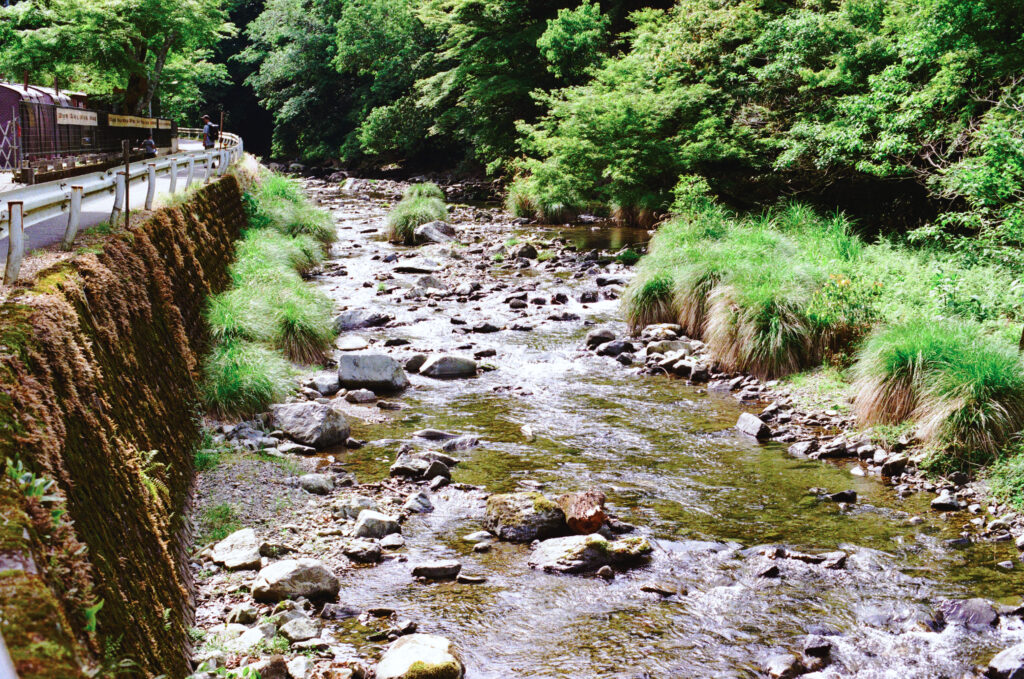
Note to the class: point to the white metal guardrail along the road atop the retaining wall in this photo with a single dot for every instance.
(24, 207)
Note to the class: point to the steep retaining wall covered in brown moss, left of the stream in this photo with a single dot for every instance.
(98, 367)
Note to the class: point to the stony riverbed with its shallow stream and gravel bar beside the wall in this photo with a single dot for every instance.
(736, 525)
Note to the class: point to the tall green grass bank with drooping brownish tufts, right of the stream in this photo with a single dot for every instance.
(926, 336)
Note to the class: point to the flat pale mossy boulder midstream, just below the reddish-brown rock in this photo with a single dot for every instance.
(588, 554)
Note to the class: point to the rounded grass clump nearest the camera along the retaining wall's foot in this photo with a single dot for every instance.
(243, 378)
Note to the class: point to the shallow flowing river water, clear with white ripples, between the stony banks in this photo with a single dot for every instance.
(672, 464)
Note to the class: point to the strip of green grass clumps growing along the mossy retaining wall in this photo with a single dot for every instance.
(270, 318)
